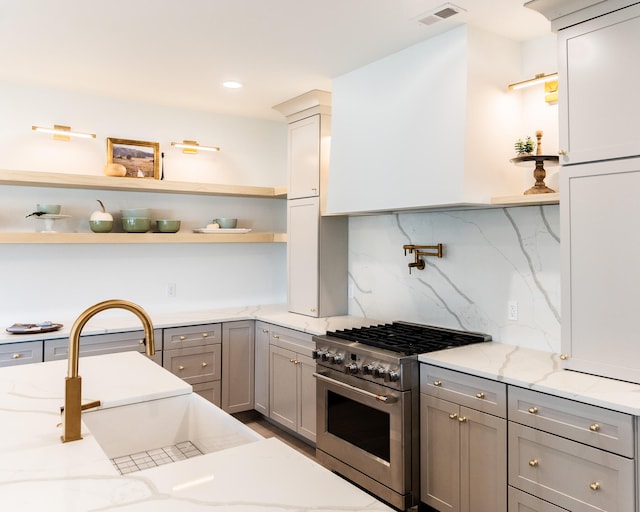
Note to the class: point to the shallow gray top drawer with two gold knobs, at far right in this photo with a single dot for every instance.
(601, 428)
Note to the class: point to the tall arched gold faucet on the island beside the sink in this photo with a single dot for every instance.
(73, 383)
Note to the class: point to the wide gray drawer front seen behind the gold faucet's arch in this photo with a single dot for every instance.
(99, 344)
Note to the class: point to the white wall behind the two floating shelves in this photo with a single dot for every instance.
(50, 282)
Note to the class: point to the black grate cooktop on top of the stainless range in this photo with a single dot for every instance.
(409, 339)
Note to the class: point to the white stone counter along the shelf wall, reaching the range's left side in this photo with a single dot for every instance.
(115, 320)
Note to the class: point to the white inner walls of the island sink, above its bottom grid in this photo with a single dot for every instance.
(146, 426)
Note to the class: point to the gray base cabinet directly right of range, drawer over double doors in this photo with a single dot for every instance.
(463, 451)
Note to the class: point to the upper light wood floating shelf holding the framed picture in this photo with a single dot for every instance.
(60, 180)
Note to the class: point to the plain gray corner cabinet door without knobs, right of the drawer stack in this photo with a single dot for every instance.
(238, 366)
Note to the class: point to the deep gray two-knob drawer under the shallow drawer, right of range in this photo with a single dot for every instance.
(563, 472)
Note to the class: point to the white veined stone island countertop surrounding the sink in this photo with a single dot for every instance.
(39, 472)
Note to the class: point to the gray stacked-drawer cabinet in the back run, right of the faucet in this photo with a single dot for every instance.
(194, 354)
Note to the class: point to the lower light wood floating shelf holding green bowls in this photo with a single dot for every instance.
(139, 238)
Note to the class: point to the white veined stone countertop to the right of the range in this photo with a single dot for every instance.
(539, 371)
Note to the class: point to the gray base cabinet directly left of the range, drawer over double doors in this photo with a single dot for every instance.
(292, 389)
